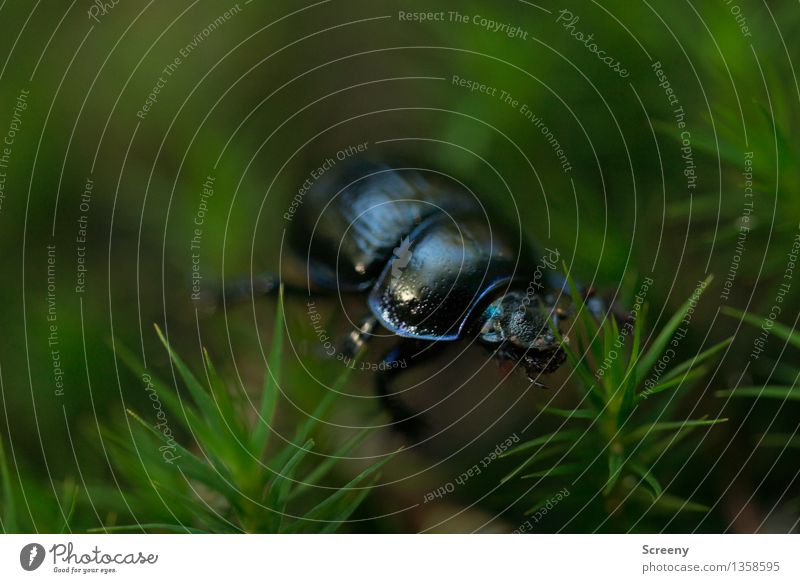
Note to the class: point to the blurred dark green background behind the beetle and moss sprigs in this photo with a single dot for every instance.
(258, 94)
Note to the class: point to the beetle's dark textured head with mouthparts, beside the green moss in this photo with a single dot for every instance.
(518, 328)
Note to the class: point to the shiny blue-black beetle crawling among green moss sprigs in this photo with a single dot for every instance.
(422, 248)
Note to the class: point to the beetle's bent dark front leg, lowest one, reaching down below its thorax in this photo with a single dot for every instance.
(406, 421)
